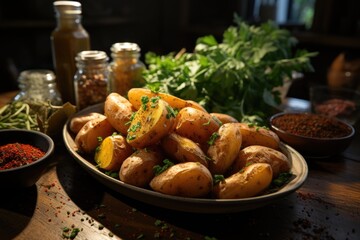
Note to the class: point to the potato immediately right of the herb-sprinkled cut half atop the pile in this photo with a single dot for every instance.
(195, 124)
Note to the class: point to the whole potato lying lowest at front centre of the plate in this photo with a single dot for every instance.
(189, 179)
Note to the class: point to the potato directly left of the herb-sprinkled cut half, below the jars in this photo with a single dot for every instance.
(118, 110)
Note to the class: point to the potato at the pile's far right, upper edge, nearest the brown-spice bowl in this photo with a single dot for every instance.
(253, 135)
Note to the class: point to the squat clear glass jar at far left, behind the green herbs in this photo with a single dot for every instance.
(38, 86)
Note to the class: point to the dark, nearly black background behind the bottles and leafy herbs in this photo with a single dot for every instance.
(164, 26)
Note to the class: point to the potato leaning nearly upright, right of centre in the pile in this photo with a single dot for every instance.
(224, 150)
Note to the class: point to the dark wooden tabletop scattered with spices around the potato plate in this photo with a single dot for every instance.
(327, 206)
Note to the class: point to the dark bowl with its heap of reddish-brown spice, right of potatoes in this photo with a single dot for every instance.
(313, 135)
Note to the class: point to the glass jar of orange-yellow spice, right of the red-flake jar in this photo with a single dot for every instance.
(125, 68)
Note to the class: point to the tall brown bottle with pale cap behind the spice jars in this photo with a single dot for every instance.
(67, 40)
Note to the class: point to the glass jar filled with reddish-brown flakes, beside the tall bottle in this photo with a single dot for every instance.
(91, 78)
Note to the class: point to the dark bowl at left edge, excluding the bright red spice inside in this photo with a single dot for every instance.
(26, 175)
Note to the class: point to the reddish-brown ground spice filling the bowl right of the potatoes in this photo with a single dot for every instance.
(311, 125)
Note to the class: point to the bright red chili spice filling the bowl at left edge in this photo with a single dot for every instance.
(18, 154)
